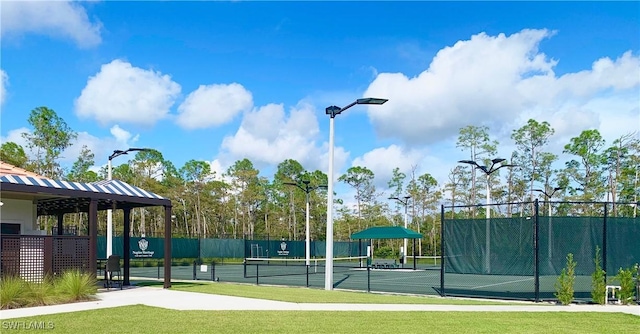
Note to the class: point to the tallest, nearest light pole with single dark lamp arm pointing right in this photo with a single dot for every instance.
(332, 111)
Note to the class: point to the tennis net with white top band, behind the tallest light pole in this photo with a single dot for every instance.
(267, 267)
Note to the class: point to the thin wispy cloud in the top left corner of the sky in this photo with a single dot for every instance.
(54, 18)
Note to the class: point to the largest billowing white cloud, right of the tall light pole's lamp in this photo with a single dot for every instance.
(492, 80)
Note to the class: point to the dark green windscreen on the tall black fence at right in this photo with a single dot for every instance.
(509, 248)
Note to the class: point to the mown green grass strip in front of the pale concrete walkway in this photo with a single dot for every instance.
(144, 319)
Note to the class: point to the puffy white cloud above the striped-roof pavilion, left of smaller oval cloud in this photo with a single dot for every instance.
(123, 93)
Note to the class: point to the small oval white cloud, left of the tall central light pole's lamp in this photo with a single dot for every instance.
(213, 105)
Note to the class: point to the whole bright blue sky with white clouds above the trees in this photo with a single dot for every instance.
(223, 81)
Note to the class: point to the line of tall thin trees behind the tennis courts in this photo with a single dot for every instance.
(242, 203)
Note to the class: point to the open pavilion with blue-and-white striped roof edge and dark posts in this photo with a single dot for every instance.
(57, 198)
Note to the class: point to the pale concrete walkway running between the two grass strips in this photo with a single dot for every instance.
(181, 300)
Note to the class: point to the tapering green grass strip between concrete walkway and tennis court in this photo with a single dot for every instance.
(306, 295)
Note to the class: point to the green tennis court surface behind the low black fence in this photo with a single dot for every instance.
(353, 277)
